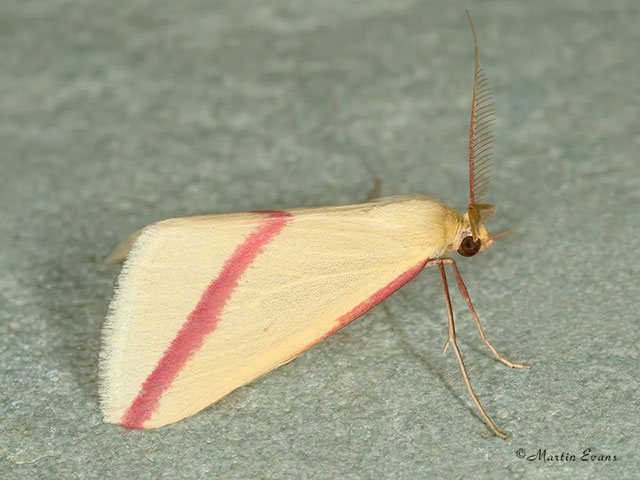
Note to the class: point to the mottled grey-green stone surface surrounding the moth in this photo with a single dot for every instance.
(116, 115)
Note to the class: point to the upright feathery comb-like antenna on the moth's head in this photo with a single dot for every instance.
(480, 132)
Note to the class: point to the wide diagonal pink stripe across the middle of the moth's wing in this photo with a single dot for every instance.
(203, 319)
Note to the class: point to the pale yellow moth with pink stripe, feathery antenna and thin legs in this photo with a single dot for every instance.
(206, 304)
